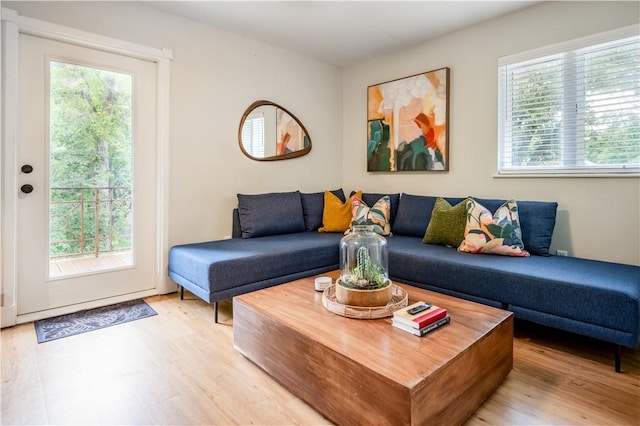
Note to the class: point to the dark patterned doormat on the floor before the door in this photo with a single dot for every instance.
(92, 319)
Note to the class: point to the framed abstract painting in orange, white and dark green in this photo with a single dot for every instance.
(408, 123)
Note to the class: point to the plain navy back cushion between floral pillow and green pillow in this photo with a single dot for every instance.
(413, 215)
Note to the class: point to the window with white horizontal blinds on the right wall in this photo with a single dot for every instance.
(572, 108)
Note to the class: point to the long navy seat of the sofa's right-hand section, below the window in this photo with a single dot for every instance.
(594, 292)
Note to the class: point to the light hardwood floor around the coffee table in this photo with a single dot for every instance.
(179, 367)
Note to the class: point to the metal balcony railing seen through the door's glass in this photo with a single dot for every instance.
(89, 221)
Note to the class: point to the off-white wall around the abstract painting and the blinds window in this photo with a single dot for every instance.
(598, 218)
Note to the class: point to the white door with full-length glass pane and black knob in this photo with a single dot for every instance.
(87, 173)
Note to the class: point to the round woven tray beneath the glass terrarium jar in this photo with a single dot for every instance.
(399, 299)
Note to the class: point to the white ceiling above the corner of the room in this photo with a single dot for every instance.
(341, 32)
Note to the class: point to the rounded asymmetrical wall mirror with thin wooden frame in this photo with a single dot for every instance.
(269, 132)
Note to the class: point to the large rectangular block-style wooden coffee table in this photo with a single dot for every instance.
(356, 371)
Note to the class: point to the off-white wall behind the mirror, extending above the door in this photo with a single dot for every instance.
(215, 76)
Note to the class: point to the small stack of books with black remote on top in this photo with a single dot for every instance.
(420, 318)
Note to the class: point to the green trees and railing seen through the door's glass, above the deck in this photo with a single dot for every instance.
(90, 159)
